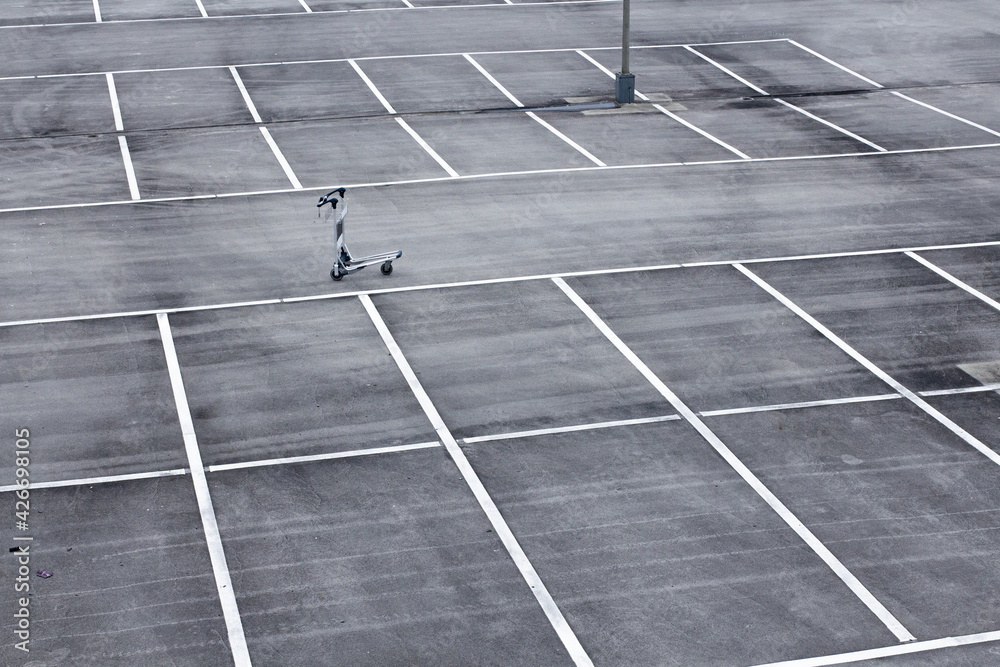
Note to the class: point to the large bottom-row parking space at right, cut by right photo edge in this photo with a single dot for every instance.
(906, 505)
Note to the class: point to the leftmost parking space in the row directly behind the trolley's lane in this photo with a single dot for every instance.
(36, 172)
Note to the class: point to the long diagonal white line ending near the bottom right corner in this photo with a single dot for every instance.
(806, 535)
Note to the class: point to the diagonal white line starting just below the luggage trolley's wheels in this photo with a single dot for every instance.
(500, 527)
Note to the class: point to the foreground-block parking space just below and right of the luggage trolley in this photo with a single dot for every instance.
(518, 357)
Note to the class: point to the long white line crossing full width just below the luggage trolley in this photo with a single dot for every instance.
(485, 281)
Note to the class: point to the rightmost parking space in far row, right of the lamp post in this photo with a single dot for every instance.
(781, 68)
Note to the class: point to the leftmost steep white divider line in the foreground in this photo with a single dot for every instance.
(223, 582)
